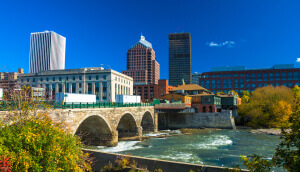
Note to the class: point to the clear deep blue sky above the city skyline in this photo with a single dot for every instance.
(253, 33)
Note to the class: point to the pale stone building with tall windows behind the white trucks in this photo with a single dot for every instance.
(105, 83)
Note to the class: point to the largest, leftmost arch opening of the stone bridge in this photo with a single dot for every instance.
(94, 130)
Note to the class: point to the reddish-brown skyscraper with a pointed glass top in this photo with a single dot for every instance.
(141, 63)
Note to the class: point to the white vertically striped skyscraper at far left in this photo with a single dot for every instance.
(47, 51)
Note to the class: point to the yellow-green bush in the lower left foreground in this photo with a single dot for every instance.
(35, 143)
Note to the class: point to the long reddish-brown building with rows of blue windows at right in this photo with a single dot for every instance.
(238, 78)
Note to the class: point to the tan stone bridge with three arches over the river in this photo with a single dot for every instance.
(104, 126)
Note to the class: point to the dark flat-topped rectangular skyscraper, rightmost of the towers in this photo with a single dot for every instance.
(180, 58)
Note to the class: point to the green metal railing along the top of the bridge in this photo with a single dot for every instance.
(56, 105)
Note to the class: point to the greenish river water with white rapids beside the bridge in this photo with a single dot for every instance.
(210, 147)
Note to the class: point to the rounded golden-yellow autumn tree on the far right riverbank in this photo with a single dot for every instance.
(268, 107)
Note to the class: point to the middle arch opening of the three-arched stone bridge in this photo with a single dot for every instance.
(127, 126)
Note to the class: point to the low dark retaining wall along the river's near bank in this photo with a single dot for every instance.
(102, 158)
